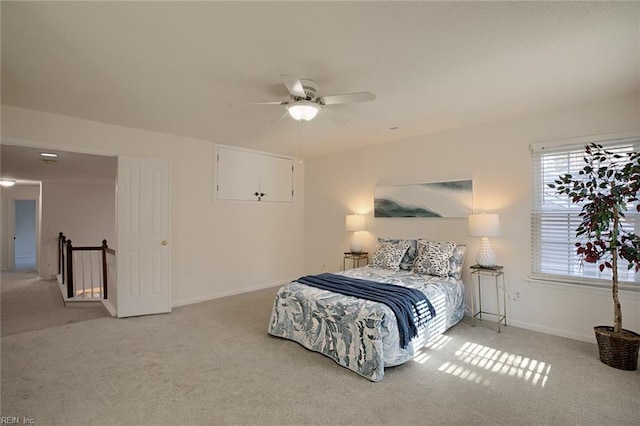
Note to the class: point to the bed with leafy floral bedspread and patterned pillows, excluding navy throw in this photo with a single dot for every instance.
(363, 335)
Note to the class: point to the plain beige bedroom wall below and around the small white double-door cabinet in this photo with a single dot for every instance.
(217, 248)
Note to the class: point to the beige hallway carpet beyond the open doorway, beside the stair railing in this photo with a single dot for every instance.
(30, 303)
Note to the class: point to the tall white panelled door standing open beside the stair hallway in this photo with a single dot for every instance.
(143, 251)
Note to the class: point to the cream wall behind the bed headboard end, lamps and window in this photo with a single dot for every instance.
(496, 156)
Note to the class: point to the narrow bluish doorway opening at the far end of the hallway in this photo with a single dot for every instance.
(24, 235)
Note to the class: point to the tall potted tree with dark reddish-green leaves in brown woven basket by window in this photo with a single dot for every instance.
(606, 185)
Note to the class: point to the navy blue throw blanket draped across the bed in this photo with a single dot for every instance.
(411, 306)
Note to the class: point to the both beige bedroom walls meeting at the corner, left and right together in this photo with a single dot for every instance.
(226, 248)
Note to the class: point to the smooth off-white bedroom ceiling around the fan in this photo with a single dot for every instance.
(175, 67)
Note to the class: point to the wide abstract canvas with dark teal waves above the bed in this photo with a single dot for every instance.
(431, 200)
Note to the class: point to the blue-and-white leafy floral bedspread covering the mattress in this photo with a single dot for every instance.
(359, 334)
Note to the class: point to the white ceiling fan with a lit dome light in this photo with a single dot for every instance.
(305, 103)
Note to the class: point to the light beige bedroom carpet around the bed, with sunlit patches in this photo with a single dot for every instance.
(214, 363)
